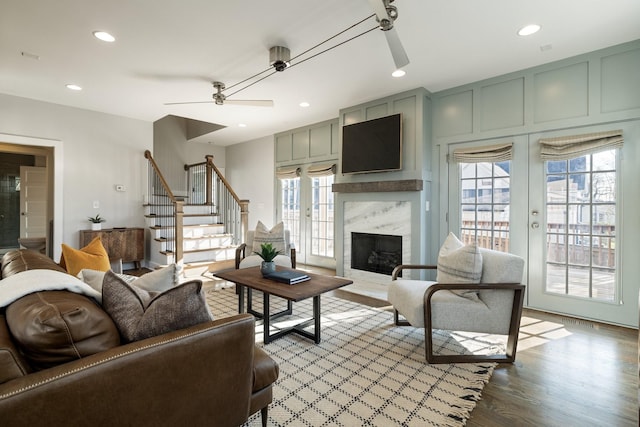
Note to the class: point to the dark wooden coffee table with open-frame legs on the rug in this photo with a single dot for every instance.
(251, 278)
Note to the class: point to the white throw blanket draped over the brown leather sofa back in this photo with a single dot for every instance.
(30, 281)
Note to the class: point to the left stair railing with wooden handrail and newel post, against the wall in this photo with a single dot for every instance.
(166, 210)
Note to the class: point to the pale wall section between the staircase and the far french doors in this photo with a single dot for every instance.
(251, 173)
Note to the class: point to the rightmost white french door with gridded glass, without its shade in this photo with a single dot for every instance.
(575, 217)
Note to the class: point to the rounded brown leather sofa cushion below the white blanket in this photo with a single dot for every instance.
(55, 327)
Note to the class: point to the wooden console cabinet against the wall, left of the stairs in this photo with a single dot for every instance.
(124, 243)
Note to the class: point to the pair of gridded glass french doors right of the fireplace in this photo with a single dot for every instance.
(563, 217)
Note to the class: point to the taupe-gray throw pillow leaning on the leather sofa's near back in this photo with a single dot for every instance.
(140, 314)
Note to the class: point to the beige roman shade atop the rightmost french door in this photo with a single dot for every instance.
(569, 147)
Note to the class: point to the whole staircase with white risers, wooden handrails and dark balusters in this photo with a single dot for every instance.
(200, 236)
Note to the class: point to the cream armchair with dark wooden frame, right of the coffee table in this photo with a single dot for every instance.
(496, 310)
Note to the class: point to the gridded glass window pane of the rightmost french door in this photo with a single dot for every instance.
(581, 225)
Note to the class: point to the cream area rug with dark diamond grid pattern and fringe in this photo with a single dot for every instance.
(366, 371)
